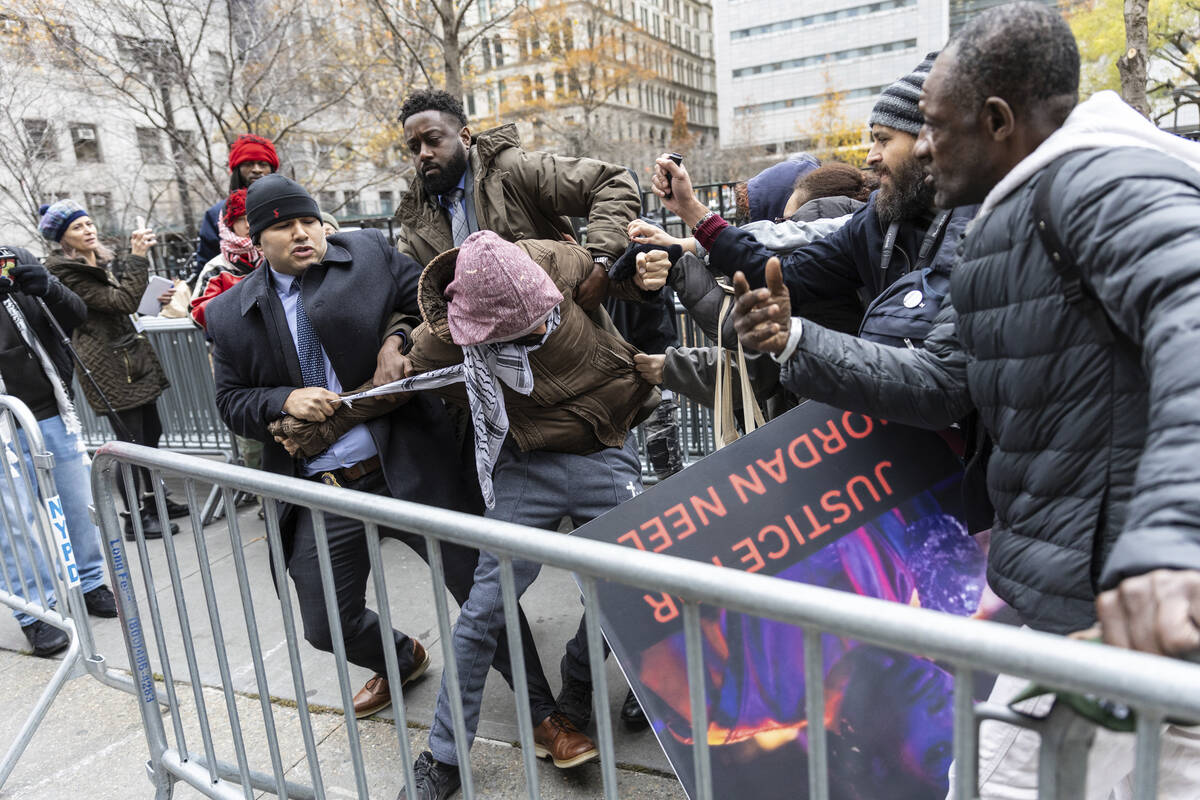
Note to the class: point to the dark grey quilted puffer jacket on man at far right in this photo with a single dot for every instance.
(1095, 474)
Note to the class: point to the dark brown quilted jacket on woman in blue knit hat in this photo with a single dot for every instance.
(121, 359)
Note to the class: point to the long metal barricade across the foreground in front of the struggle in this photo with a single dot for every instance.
(1153, 687)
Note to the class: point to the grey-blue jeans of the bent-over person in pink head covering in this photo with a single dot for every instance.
(532, 489)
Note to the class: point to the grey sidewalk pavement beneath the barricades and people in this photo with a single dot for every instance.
(93, 738)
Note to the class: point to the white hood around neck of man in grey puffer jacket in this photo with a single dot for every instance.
(1103, 121)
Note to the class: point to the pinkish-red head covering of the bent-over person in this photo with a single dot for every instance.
(499, 293)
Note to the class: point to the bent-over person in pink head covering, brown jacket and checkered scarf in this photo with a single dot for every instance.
(553, 395)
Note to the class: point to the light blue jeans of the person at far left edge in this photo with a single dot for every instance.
(73, 479)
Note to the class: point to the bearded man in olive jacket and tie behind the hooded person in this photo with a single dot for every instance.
(488, 183)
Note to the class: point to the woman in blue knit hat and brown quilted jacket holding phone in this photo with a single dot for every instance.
(117, 353)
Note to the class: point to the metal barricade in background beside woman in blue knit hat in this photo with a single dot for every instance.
(188, 410)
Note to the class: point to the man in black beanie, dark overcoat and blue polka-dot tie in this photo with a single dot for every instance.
(325, 306)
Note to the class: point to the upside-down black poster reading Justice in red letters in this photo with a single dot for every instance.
(827, 498)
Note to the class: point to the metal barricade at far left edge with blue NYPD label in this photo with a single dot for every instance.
(33, 531)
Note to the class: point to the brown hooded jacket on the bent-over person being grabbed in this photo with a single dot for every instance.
(587, 395)
